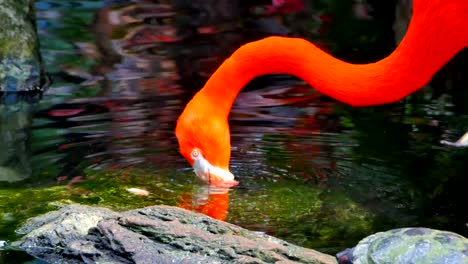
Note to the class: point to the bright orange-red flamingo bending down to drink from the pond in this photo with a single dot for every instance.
(438, 31)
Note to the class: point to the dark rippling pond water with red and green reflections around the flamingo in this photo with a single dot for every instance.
(312, 171)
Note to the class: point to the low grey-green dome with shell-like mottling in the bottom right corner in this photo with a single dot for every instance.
(408, 245)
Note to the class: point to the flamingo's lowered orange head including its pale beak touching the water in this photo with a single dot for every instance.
(204, 141)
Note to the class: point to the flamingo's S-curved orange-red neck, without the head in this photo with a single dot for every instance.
(435, 34)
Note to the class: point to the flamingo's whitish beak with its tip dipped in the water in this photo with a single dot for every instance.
(211, 174)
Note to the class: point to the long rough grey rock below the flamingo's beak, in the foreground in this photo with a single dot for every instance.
(156, 234)
